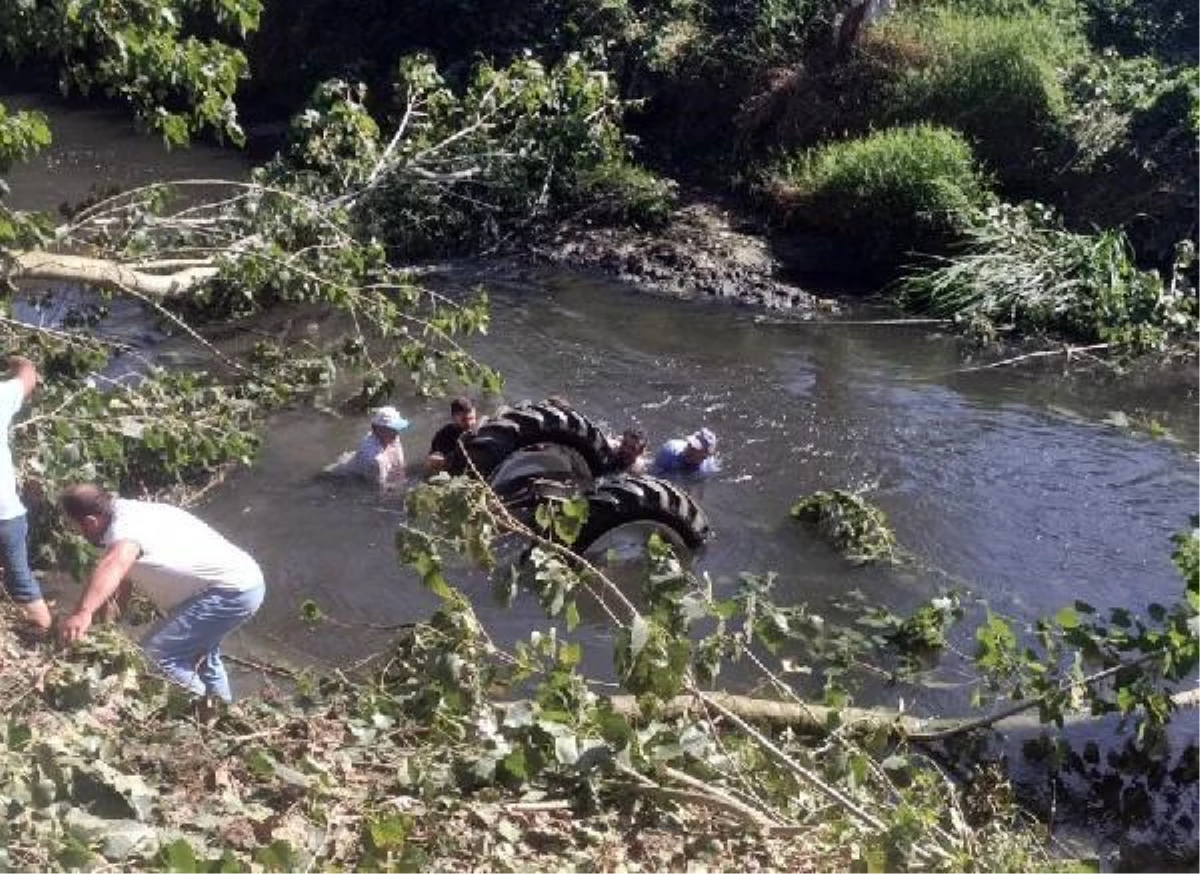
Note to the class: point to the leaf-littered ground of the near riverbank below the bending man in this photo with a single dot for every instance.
(104, 765)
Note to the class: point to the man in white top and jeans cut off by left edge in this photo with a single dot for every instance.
(19, 578)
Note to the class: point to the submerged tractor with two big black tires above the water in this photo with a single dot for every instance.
(533, 454)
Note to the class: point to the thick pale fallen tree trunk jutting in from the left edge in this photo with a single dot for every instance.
(105, 272)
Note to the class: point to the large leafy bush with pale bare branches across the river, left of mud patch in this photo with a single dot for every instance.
(459, 170)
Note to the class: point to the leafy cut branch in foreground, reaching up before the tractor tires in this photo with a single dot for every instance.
(679, 633)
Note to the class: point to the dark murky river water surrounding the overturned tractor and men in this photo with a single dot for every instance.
(1022, 483)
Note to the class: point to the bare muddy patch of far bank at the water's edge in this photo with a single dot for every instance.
(707, 250)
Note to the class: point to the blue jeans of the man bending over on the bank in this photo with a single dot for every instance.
(188, 646)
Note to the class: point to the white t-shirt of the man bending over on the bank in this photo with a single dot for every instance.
(181, 556)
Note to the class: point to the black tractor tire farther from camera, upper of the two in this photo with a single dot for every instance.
(530, 424)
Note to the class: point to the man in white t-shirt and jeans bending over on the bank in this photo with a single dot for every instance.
(207, 586)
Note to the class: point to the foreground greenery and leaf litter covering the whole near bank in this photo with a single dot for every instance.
(526, 756)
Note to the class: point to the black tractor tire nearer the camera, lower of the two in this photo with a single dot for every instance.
(623, 499)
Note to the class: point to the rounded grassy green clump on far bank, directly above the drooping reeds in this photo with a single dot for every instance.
(896, 193)
